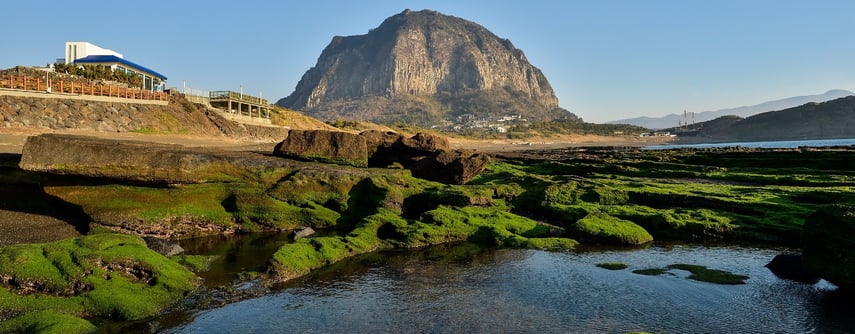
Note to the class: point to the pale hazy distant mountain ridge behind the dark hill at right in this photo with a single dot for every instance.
(672, 119)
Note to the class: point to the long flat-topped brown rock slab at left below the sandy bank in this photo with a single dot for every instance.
(135, 160)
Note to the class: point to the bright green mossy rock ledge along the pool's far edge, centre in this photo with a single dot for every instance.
(387, 230)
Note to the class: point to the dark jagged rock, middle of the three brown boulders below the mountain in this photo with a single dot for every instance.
(388, 148)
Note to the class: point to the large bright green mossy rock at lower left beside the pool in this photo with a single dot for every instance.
(101, 275)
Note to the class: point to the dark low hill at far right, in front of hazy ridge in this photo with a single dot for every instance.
(825, 120)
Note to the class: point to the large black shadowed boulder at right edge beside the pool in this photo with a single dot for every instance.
(829, 248)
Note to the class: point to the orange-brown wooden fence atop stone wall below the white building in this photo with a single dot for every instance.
(29, 83)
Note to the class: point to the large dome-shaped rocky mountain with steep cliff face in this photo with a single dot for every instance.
(426, 68)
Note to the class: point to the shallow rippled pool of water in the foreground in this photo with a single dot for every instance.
(465, 289)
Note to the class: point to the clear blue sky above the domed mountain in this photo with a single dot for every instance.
(606, 59)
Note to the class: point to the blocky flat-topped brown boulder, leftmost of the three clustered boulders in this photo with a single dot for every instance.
(336, 147)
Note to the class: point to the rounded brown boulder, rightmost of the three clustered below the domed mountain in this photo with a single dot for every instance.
(451, 167)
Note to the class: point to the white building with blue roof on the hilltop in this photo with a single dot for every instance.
(85, 53)
